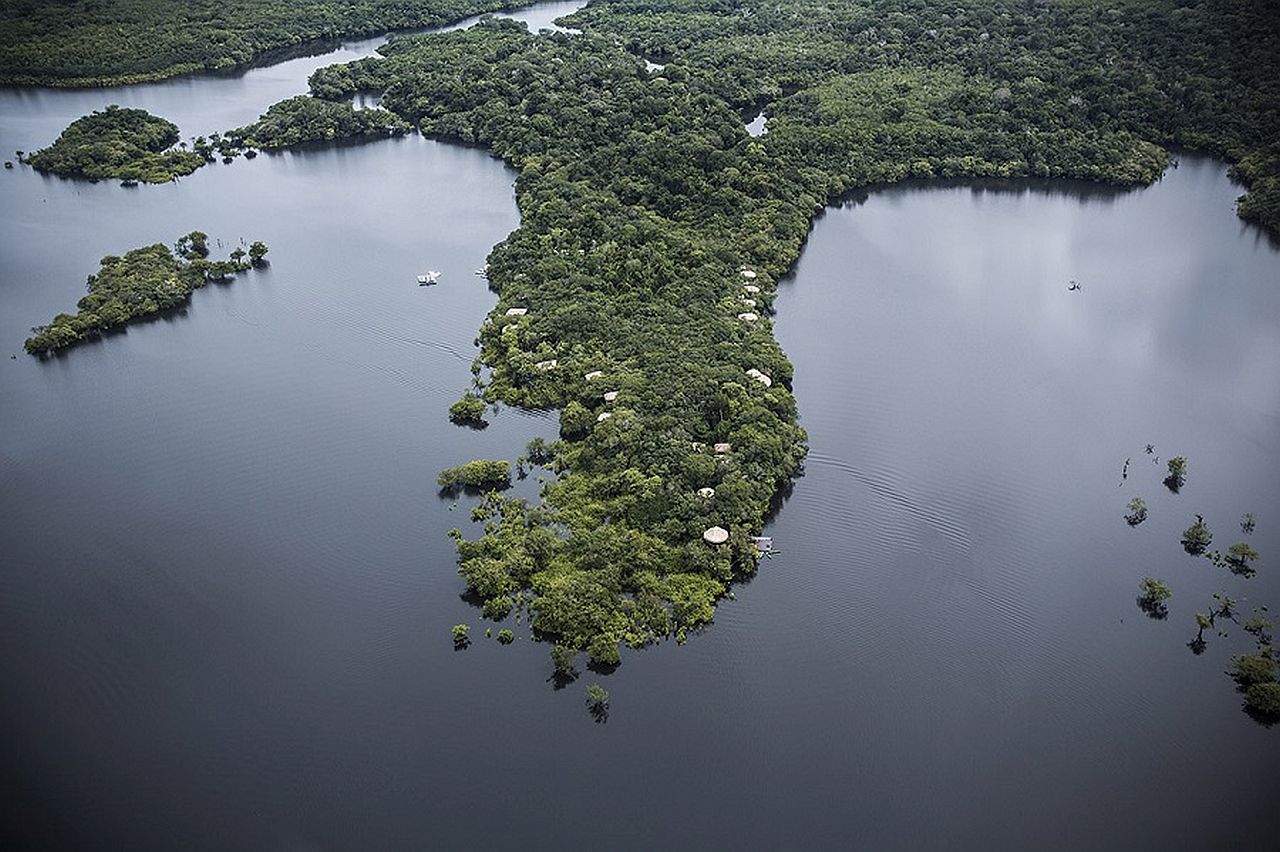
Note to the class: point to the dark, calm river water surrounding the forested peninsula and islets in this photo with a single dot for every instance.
(226, 587)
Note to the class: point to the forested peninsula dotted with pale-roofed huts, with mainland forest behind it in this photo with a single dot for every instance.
(636, 296)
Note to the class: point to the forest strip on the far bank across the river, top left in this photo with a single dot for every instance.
(103, 43)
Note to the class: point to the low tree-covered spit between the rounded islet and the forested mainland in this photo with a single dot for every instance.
(307, 120)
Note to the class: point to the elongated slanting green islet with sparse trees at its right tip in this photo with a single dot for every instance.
(147, 281)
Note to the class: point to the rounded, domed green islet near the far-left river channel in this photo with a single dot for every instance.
(118, 144)
